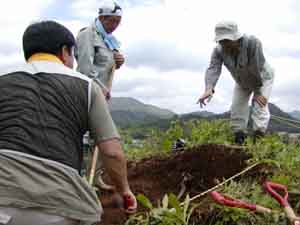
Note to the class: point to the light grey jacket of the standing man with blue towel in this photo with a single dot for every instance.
(94, 59)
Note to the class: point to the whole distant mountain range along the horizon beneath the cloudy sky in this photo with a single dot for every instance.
(129, 112)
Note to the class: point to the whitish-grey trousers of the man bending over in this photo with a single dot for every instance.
(240, 110)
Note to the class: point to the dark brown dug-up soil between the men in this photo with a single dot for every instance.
(191, 171)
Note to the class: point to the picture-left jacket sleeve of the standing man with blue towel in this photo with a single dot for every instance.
(85, 54)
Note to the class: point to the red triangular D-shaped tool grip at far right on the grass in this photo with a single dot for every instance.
(272, 187)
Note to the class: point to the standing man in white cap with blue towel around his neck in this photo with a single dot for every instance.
(98, 51)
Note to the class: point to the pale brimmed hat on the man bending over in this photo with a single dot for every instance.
(227, 30)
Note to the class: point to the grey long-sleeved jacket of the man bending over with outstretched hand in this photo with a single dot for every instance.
(250, 69)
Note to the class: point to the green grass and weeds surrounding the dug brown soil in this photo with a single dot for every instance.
(283, 167)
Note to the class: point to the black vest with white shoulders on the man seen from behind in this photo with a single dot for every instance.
(45, 114)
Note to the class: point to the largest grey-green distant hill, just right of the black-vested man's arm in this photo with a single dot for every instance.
(128, 112)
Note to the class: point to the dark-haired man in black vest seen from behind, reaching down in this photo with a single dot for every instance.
(45, 109)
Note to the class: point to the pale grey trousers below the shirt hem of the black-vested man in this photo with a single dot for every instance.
(14, 216)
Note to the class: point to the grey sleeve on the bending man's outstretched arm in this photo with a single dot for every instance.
(214, 69)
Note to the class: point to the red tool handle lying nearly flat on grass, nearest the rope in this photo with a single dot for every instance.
(228, 201)
